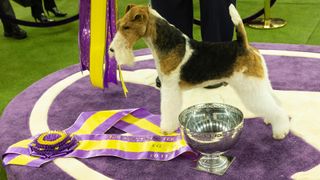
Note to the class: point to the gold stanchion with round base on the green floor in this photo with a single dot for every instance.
(267, 22)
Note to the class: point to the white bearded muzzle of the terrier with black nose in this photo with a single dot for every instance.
(122, 53)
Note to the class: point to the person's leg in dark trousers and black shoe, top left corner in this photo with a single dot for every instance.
(10, 29)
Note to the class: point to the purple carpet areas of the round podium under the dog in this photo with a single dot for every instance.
(258, 156)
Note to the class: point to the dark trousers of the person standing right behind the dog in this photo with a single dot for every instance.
(216, 24)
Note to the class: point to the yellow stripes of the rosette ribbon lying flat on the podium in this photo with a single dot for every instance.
(97, 119)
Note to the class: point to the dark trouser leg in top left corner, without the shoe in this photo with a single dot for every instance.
(6, 10)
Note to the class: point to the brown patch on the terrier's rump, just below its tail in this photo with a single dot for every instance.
(250, 63)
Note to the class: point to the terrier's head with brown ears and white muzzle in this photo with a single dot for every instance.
(130, 28)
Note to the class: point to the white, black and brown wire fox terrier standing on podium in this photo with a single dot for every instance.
(183, 63)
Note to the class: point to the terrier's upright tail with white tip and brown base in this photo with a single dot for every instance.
(237, 21)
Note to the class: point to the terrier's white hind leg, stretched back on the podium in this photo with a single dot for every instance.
(257, 97)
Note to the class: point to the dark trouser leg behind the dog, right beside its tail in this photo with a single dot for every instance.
(216, 24)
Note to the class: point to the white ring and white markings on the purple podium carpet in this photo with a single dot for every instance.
(305, 123)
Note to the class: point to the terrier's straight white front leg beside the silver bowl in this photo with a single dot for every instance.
(171, 102)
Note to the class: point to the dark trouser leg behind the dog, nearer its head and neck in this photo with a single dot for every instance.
(177, 12)
